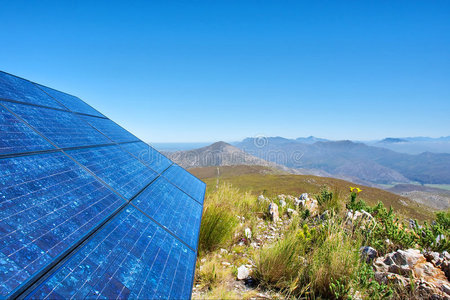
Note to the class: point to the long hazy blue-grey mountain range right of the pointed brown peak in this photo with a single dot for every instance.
(357, 160)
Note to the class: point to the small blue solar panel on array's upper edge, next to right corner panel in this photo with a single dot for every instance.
(148, 155)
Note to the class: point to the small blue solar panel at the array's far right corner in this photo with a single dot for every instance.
(186, 181)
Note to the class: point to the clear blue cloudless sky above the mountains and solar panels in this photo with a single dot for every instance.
(193, 71)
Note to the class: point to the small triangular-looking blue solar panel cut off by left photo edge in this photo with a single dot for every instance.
(16, 137)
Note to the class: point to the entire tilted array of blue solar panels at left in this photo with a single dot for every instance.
(87, 210)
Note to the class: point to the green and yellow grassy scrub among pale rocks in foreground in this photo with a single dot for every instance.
(314, 255)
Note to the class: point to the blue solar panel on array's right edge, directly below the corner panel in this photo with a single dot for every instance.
(173, 209)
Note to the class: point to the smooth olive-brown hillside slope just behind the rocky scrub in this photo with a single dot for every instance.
(259, 179)
